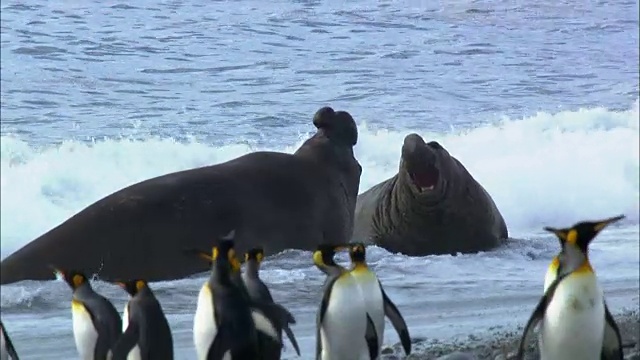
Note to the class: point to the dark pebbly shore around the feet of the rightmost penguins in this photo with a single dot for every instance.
(503, 344)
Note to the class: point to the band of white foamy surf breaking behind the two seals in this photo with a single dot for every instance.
(540, 170)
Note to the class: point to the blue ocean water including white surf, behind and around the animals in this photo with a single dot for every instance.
(538, 100)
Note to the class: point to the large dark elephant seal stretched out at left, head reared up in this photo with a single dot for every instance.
(275, 200)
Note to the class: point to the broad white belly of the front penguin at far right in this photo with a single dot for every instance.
(573, 326)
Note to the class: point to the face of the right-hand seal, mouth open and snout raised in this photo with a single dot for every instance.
(420, 162)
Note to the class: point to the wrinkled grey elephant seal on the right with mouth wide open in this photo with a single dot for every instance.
(431, 206)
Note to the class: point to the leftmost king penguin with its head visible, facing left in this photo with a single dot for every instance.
(96, 323)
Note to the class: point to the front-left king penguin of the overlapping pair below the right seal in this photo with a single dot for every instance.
(344, 330)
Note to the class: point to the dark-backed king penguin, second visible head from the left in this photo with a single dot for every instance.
(147, 335)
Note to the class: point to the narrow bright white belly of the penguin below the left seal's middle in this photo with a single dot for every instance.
(204, 324)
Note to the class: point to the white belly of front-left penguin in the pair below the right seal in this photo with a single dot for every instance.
(344, 324)
